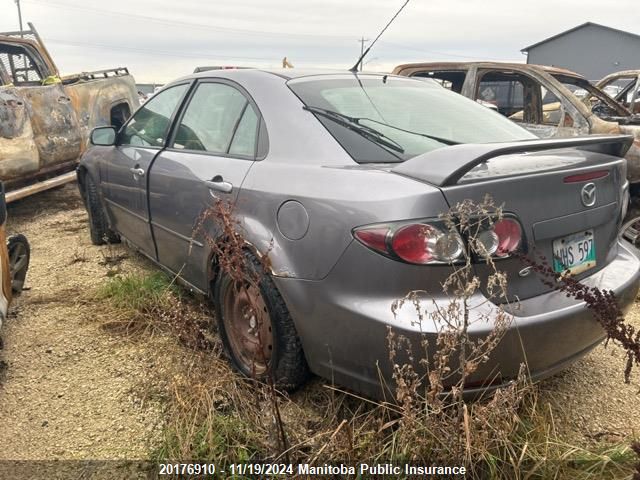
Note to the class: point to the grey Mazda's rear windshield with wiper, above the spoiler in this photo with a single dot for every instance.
(400, 115)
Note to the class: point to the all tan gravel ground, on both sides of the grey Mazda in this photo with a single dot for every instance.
(68, 389)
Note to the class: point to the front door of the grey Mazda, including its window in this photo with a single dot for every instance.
(124, 180)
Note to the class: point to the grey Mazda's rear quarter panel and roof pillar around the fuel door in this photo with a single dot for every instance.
(307, 165)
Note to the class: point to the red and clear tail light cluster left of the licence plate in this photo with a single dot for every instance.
(431, 243)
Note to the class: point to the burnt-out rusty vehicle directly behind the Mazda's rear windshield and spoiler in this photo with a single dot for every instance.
(539, 98)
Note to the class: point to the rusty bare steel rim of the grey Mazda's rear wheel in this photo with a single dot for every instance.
(248, 327)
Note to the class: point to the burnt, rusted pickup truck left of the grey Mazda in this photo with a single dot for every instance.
(45, 118)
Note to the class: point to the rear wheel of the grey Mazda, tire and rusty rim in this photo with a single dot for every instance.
(257, 331)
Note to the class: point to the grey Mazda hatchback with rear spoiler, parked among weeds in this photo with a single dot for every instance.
(341, 178)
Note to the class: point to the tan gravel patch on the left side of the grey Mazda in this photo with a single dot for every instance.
(69, 389)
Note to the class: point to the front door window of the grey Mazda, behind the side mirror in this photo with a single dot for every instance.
(150, 125)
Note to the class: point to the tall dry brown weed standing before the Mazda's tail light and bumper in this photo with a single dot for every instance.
(459, 432)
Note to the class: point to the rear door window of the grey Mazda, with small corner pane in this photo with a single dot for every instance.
(219, 119)
